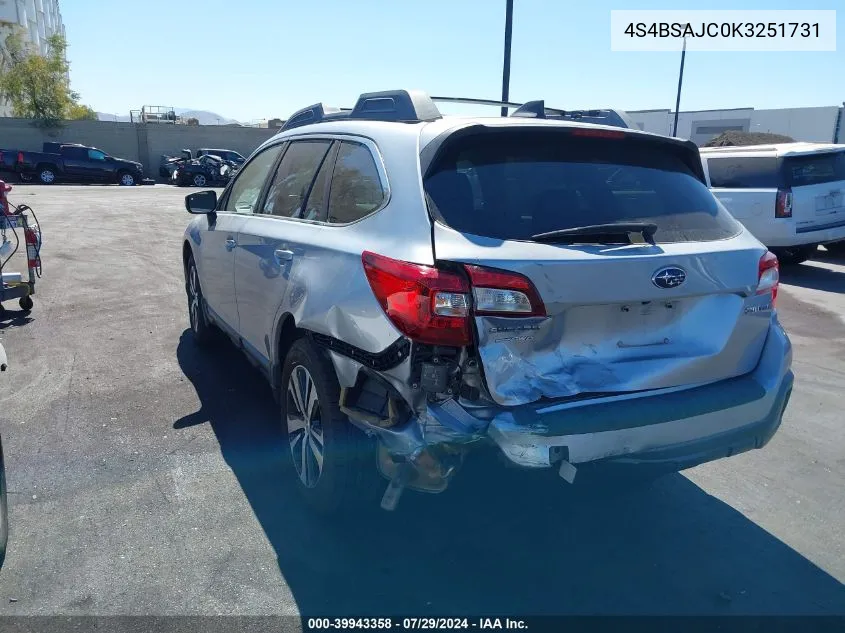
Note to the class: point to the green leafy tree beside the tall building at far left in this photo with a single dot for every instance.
(36, 86)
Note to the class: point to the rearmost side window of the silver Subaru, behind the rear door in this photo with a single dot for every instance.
(356, 189)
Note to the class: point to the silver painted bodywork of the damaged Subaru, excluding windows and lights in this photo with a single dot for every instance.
(713, 328)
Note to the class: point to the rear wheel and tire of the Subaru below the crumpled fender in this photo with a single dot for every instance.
(344, 478)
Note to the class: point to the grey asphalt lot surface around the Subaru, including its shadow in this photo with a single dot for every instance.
(145, 475)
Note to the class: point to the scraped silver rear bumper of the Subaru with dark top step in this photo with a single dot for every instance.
(679, 427)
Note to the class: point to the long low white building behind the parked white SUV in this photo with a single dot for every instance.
(822, 125)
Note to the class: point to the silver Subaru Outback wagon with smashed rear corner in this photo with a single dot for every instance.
(414, 286)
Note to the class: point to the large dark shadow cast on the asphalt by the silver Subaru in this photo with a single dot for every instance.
(500, 541)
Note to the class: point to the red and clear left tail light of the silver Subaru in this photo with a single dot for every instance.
(435, 306)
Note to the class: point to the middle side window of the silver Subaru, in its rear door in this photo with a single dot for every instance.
(294, 177)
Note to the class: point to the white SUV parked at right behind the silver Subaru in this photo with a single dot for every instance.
(791, 196)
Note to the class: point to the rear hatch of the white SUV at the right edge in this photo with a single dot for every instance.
(817, 183)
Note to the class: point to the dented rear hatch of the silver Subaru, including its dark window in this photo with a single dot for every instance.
(669, 300)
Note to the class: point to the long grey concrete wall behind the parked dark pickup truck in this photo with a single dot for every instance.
(143, 143)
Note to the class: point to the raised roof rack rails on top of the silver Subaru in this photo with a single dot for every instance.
(414, 106)
